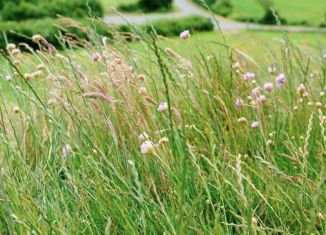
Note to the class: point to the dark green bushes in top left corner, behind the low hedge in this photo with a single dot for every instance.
(34, 9)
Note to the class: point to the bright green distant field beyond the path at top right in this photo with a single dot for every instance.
(294, 11)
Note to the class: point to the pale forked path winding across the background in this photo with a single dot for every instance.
(187, 8)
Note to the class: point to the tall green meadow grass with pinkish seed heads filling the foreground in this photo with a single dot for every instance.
(85, 150)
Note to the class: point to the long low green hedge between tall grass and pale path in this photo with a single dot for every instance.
(22, 32)
